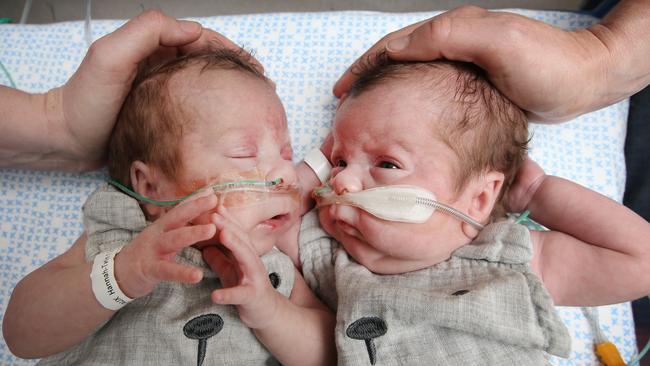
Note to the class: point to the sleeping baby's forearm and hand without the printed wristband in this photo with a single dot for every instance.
(298, 330)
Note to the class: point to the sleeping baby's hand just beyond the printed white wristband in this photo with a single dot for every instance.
(149, 258)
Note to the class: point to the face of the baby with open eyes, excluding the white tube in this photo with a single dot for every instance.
(386, 136)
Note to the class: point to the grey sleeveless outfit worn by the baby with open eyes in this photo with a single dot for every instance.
(483, 306)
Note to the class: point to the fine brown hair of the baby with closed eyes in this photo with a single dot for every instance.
(152, 121)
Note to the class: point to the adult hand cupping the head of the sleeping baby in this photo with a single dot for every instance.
(88, 104)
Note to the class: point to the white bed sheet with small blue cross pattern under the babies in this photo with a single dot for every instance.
(304, 53)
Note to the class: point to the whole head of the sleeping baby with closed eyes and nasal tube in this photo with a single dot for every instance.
(200, 119)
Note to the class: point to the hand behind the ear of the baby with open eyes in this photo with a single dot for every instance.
(529, 177)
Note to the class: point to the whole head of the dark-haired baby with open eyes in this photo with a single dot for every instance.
(440, 126)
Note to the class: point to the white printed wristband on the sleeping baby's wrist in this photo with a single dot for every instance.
(104, 284)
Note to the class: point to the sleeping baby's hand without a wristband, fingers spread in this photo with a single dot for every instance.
(242, 273)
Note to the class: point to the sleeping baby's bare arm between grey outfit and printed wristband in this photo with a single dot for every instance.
(50, 311)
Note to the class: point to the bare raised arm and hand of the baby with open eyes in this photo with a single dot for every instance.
(597, 252)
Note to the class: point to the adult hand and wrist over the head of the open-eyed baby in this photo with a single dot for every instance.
(552, 74)
